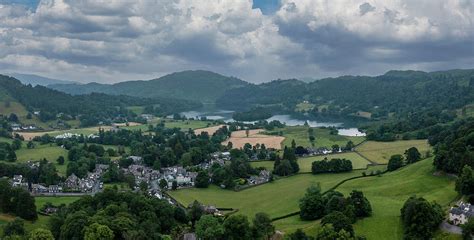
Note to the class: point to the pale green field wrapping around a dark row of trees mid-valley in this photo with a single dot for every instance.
(358, 162)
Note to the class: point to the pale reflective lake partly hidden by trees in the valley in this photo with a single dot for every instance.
(289, 120)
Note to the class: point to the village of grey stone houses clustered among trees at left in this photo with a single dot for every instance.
(153, 179)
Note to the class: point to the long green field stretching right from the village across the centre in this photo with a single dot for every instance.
(276, 198)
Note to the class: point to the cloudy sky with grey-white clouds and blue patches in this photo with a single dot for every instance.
(261, 40)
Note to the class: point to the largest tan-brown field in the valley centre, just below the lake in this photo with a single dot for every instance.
(239, 139)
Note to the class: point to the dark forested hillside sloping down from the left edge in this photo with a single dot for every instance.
(89, 109)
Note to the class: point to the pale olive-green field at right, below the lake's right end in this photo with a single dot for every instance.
(380, 152)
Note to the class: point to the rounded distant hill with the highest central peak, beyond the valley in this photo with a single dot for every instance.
(202, 86)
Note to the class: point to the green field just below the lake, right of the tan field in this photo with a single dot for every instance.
(323, 138)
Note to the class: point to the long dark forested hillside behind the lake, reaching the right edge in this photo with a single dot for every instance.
(401, 102)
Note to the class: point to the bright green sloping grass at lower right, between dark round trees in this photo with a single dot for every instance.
(388, 193)
